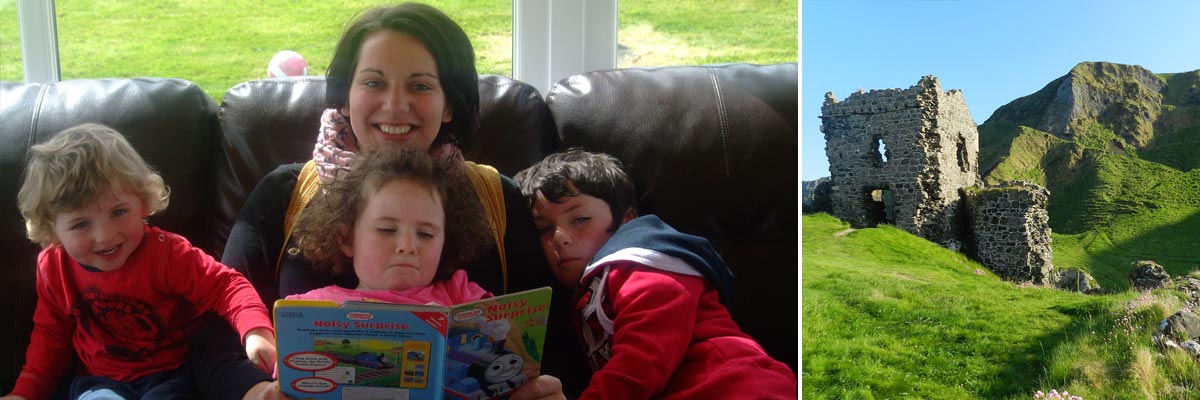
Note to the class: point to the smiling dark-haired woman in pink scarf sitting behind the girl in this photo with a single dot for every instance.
(401, 77)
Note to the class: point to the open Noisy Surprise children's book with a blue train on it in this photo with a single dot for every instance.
(363, 350)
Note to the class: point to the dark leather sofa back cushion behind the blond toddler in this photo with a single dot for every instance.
(172, 123)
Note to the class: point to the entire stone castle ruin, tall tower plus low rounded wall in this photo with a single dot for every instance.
(911, 159)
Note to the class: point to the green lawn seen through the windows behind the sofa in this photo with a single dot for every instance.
(220, 44)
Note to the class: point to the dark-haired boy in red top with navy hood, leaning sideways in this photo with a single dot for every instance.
(650, 300)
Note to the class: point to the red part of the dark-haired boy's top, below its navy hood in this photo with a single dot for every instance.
(673, 339)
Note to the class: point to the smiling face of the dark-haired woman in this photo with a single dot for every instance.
(397, 97)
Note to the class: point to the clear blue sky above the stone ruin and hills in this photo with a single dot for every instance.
(993, 51)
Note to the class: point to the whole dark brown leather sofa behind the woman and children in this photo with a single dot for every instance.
(712, 151)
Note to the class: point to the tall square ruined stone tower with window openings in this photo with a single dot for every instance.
(920, 146)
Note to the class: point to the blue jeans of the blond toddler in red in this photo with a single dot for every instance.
(166, 386)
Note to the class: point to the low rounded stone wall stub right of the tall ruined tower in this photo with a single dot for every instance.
(1012, 231)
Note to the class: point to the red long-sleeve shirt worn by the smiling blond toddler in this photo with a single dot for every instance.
(131, 323)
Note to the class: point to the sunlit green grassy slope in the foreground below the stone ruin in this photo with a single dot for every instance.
(887, 315)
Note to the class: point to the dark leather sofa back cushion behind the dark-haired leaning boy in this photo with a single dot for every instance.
(713, 152)
